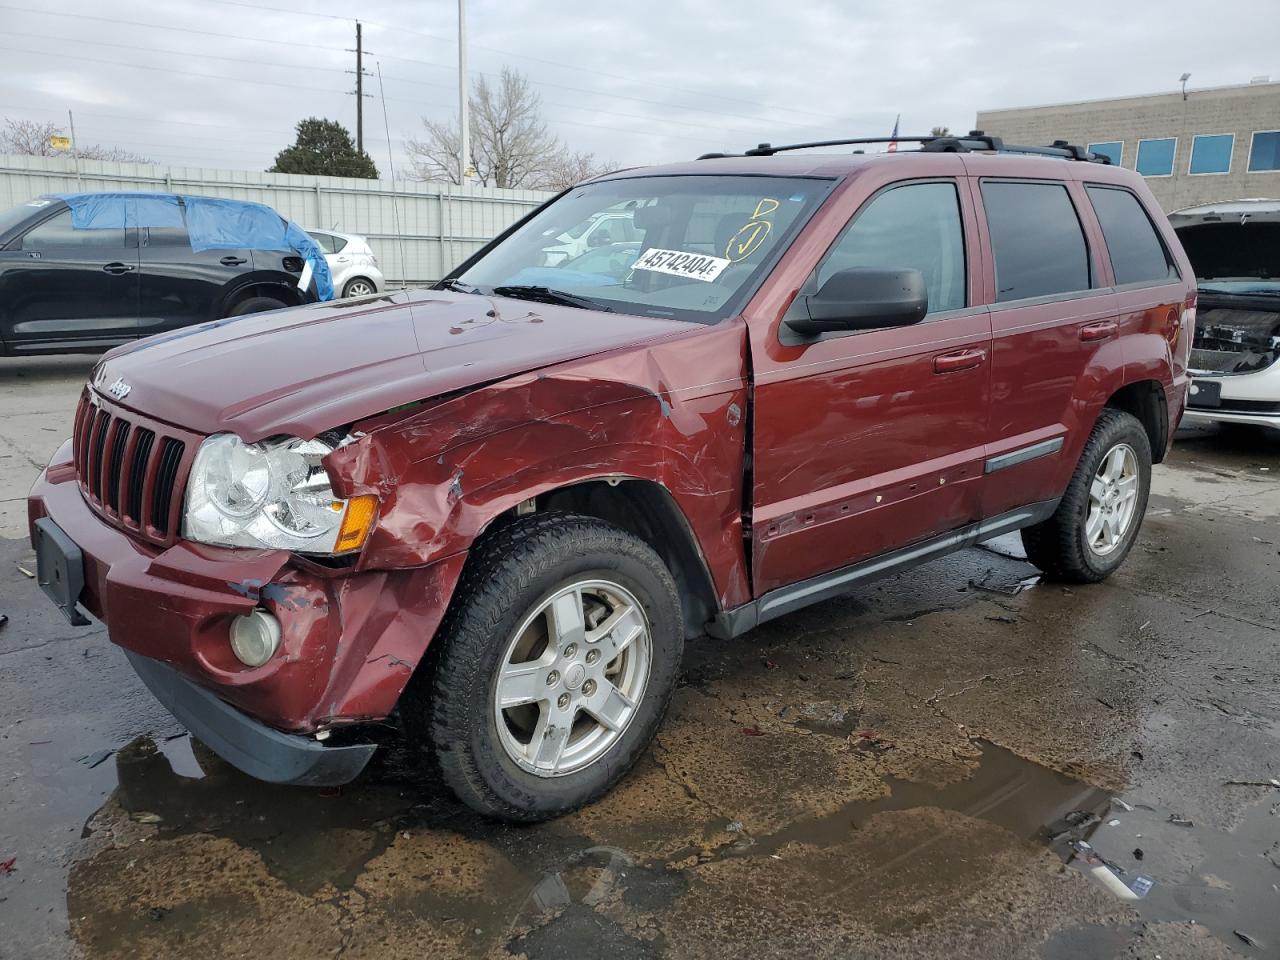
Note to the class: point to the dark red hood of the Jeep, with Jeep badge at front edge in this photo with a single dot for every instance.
(312, 369)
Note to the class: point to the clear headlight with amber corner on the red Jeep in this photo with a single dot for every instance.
(272, 495)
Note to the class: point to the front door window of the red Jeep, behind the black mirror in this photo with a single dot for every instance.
(915, 226)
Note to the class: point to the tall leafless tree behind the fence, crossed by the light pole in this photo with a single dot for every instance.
(510, 143)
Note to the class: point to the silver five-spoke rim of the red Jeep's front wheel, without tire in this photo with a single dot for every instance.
(573, 678)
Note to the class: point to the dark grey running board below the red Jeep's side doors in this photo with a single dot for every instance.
(794, 597)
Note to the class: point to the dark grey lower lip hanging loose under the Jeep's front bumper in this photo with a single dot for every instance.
(243, 742)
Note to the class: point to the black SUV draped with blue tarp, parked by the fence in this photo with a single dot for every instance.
(83, 291)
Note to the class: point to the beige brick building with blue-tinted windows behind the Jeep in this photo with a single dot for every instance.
(1215, 144)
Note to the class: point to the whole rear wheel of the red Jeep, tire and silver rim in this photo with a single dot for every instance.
(1064, 546)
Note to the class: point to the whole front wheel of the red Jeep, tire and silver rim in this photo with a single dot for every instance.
(451, 708)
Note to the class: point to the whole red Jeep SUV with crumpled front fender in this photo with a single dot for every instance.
(496, 510)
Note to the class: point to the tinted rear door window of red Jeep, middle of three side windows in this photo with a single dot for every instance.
(1036, 240)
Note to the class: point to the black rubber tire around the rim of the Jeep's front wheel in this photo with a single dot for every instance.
(642, 574)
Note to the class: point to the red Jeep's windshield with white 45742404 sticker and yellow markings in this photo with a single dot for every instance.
(685, 248)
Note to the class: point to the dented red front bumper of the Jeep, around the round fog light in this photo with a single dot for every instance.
(350, 641)
